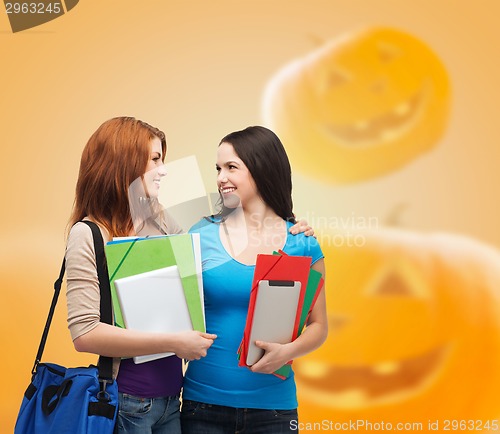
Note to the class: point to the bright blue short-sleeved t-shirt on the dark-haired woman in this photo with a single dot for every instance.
(217, 378)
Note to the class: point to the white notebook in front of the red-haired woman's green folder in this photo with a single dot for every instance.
(154, 302)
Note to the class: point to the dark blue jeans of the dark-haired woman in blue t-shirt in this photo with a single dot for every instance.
(200, 418)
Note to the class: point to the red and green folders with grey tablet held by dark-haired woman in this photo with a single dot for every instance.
(284, 291)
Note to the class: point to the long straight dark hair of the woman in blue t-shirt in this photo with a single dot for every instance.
(265, 157)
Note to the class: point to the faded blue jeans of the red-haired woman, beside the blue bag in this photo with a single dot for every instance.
(148, 415)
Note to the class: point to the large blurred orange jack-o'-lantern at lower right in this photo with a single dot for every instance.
(414, 332)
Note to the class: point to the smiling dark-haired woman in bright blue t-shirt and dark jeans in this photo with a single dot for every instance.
(254, 181)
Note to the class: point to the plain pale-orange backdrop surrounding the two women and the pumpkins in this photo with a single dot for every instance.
(197, 70)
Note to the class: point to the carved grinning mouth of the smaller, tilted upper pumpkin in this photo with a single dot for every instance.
(381, 129)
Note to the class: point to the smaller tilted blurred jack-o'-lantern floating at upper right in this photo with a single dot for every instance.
(360, 106)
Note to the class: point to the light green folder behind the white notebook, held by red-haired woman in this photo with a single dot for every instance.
(130, 257)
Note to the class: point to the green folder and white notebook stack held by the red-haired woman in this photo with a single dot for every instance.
(156, 284)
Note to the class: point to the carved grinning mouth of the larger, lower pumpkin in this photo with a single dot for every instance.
(360, 386)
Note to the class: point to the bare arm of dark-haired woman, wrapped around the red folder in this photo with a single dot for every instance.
(316, 332)
